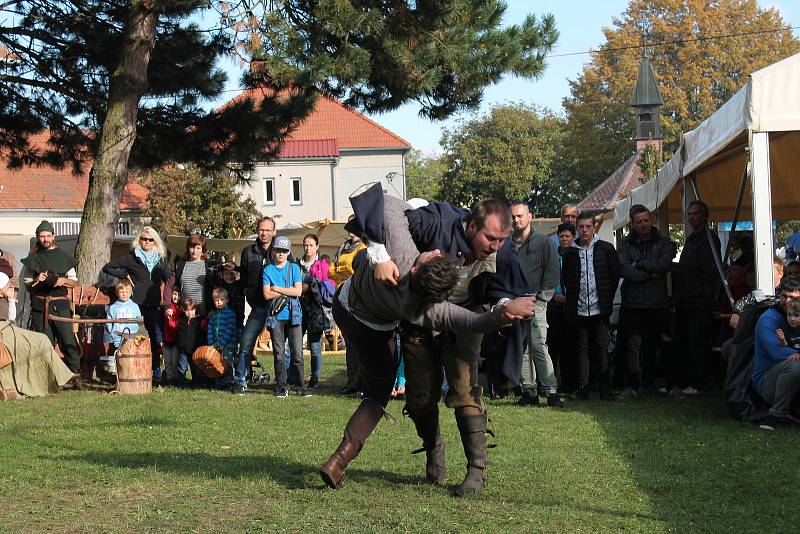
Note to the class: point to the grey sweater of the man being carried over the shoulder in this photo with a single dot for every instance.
(377, 303)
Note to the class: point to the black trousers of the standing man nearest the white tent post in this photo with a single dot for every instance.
(691, 348)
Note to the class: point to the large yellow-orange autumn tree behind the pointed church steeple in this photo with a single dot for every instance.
(695, 71)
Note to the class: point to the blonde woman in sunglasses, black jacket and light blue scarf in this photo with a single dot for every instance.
(147, 269)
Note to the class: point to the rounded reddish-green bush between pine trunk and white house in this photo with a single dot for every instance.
(186, 198)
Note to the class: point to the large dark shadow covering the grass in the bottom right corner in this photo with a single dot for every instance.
(700, 470)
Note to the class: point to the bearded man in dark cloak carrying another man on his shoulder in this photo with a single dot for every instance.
(488, 273)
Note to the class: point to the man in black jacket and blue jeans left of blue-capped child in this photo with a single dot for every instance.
(254, 258)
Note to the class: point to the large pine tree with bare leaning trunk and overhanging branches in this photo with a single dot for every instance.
(122, 82)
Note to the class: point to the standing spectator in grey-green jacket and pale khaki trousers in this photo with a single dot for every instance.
(539, 259)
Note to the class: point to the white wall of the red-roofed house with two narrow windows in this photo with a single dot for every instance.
(322, 179)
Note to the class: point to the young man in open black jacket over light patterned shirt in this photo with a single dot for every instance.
(590, 274)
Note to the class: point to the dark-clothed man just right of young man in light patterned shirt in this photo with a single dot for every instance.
(645, 258)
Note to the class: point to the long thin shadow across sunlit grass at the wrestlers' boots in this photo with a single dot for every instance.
(286, 472)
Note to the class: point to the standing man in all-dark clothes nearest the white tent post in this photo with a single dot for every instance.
(696, 292)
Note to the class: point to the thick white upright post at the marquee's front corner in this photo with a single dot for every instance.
(762, 210)
